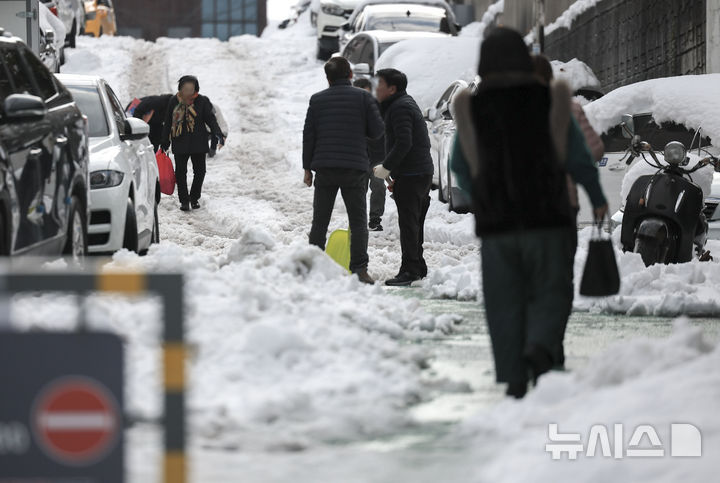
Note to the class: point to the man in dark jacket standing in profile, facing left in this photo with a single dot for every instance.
(409, 163)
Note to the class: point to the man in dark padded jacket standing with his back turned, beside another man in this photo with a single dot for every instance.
(339, 122)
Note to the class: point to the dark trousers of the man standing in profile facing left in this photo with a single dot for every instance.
(412, 197)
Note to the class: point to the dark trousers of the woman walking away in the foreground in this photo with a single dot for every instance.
(528, 288)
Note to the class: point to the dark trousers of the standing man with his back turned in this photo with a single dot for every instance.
(353, 188)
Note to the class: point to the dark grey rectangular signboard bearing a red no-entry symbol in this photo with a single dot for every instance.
(61, 408)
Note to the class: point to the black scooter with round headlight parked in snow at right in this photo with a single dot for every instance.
(663, 219)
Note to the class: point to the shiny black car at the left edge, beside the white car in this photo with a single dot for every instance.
(43, 158)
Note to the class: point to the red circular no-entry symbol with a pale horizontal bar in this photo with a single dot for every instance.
(76, 421)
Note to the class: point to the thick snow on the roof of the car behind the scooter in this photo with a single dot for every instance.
(691, 100)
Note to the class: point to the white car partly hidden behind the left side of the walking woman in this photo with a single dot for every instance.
(441, 127)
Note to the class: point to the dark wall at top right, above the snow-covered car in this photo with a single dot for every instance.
(630, 41)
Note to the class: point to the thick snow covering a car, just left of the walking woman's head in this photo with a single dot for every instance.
(450, 59)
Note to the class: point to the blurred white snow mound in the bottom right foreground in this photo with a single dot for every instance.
(634, 383)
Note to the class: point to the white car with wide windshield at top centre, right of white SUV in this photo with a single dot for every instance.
(400, 16)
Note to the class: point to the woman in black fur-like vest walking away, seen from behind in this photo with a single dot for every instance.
(517, 141)
